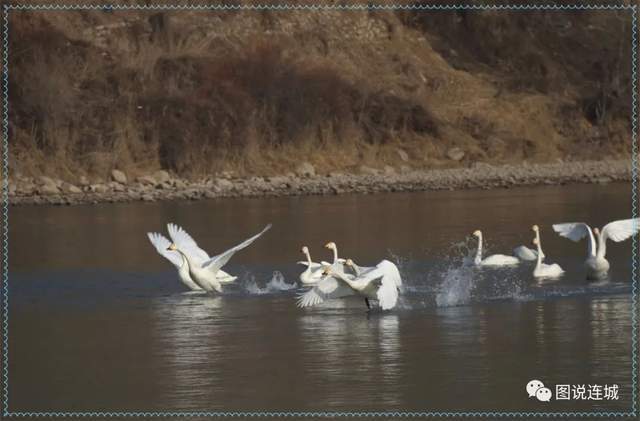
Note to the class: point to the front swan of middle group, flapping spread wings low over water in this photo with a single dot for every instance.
(379, 283)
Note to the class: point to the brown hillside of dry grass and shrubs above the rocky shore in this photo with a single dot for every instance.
(200, 92)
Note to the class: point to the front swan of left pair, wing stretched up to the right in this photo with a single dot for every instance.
(204, 274)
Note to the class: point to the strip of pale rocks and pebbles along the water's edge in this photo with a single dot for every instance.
(163, 186)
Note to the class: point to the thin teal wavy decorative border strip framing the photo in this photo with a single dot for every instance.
(4, 235)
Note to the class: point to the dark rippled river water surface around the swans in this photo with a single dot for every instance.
(99, 321)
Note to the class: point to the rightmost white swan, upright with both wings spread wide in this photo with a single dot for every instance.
(596, 264)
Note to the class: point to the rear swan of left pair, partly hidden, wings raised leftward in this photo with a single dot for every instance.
(181, 237)
